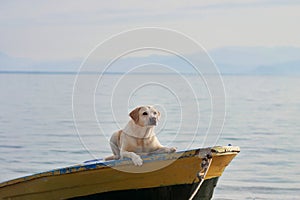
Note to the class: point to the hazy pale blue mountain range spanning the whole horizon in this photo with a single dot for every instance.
(229, 60)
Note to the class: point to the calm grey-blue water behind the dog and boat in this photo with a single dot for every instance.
(263, 117)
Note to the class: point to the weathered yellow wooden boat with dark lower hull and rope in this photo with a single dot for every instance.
(189, 174)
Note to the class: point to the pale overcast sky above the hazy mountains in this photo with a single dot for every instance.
(69, 29)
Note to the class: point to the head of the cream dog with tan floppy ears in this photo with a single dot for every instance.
(145, 116)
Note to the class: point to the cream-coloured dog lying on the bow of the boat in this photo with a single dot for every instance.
(138, 136)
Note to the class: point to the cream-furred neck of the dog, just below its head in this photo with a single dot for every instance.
(135, 130)
